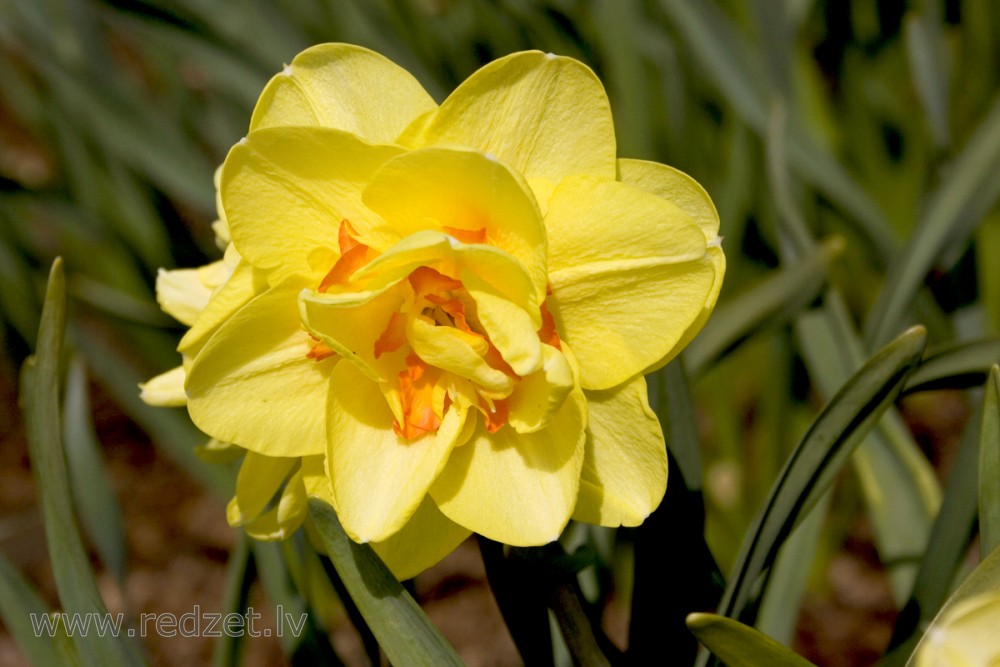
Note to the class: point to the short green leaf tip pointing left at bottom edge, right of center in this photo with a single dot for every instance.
(739, 645)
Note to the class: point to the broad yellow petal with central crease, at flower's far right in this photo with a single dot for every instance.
(629, 272)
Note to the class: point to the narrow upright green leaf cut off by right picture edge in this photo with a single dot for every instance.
(989, 467)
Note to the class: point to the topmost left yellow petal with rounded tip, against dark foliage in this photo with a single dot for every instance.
(345, 87)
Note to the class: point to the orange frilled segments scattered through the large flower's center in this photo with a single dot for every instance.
(424, 398)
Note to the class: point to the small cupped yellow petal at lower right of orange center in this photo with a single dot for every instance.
(539, 396)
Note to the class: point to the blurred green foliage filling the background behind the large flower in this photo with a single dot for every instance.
(852, 149)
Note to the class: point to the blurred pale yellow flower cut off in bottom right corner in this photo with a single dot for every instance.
(965, 637)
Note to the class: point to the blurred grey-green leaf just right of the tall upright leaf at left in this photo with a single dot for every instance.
(93, 492)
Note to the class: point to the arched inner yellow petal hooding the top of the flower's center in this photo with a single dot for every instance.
(447, 189)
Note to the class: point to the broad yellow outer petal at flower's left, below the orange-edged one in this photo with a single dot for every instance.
(253, 385)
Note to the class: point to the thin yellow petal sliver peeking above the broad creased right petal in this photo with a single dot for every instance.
(675, 186)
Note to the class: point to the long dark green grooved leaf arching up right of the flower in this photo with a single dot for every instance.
(818, 459)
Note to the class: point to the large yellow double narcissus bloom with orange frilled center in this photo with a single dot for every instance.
(438, 318)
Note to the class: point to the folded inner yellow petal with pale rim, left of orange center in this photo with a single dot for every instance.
(350, 323)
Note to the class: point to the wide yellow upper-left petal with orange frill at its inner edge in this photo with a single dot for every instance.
(287, 189)
